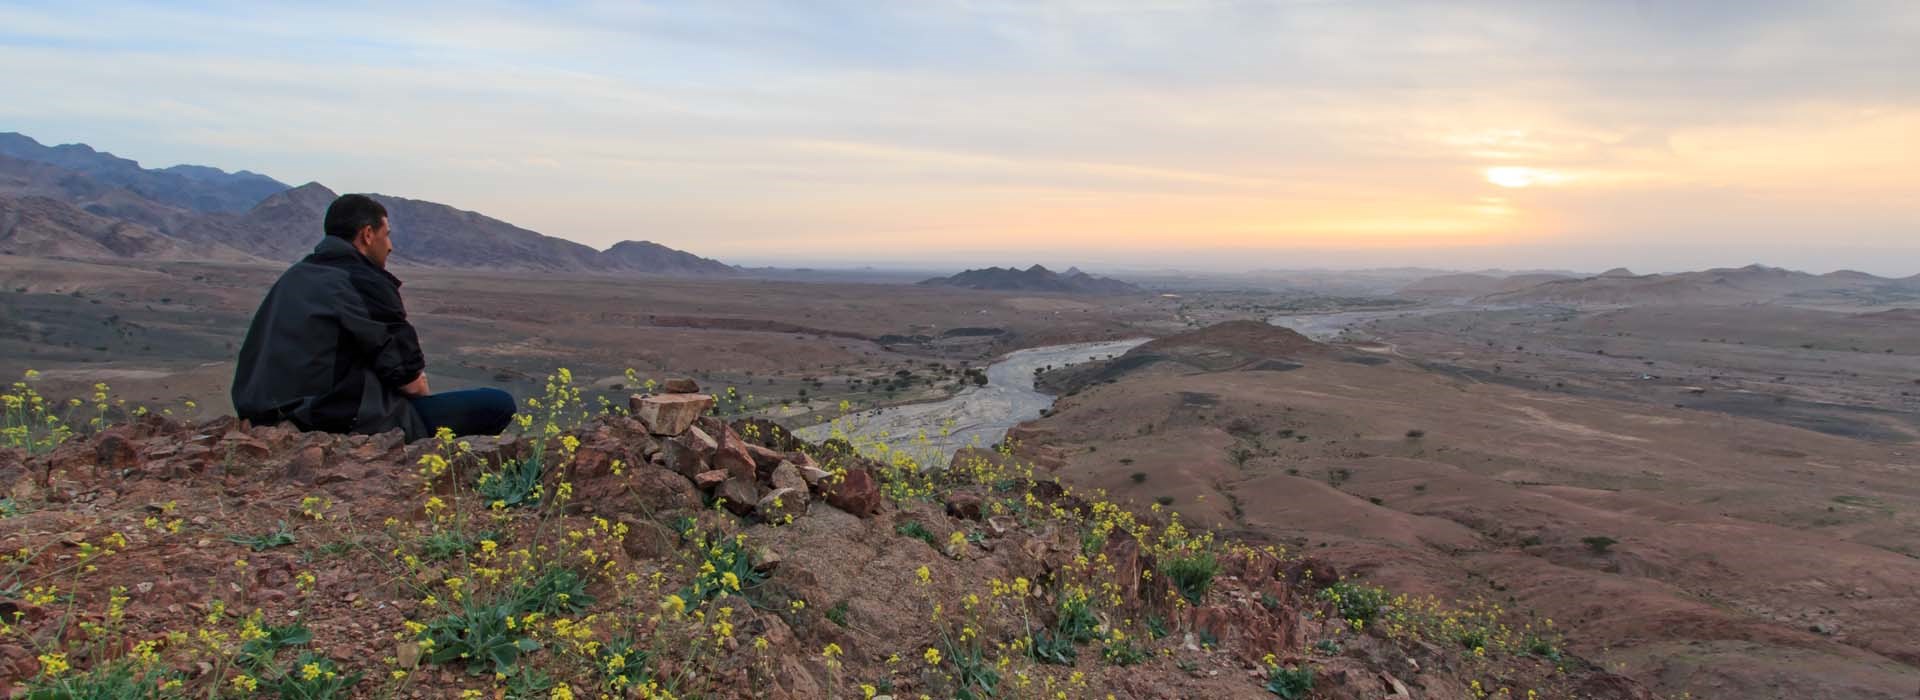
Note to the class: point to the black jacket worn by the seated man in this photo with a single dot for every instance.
(331, 348)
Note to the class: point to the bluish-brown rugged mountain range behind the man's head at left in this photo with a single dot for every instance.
(193, 212)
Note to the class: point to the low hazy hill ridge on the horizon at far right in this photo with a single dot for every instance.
(1717, 287)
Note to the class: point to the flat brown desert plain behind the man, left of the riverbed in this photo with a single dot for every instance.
(166, 333)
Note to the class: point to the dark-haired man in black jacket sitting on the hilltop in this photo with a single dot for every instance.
(331, 346)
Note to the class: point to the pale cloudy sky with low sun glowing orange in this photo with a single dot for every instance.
(1099, 133)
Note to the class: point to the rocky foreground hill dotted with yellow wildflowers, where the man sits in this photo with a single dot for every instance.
(661, 553)
